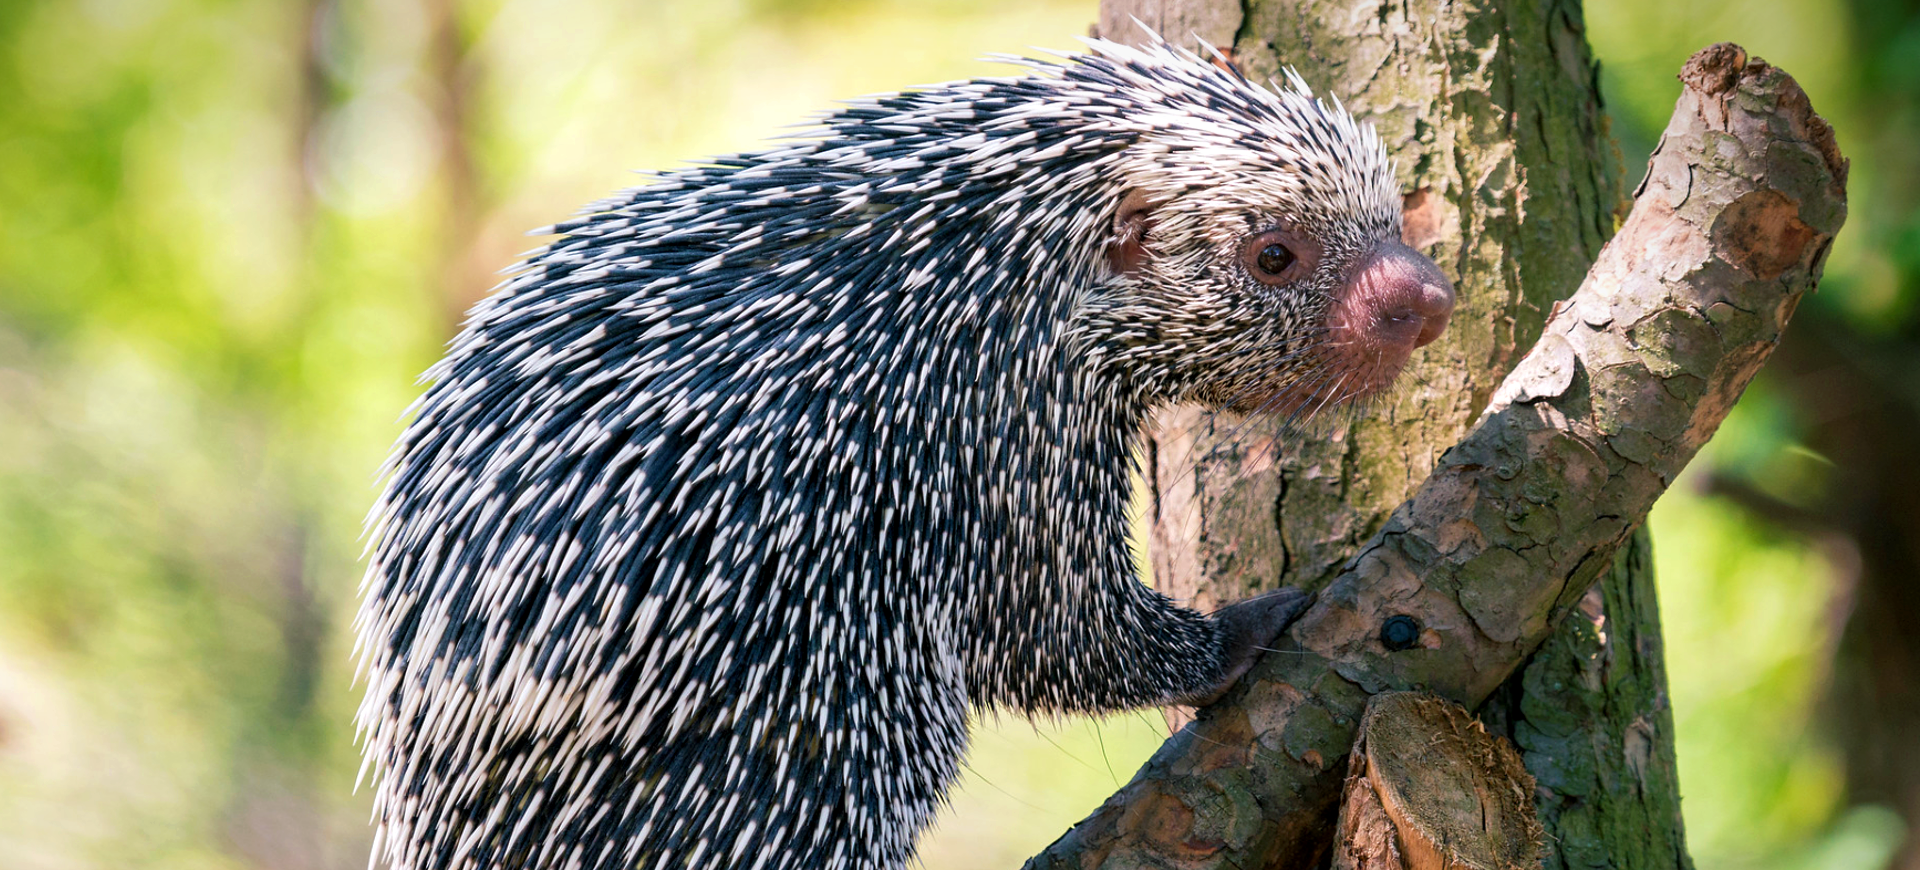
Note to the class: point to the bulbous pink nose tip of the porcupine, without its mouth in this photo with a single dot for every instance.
(1399, 299)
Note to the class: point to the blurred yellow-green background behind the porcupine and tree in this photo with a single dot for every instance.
(233, 231)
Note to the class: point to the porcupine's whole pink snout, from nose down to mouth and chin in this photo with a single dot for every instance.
(1393, 302)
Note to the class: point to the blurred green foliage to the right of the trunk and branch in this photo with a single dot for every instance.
(1756, 608)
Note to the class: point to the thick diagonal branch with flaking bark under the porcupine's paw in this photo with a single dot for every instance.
(1527, 512)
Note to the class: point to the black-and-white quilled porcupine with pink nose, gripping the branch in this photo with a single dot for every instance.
(721, 516)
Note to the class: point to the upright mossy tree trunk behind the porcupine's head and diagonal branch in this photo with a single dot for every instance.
(1493, 116)
